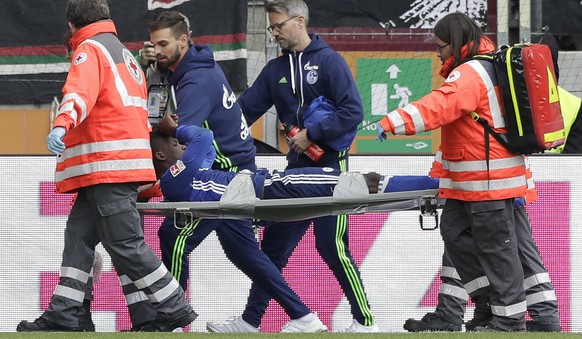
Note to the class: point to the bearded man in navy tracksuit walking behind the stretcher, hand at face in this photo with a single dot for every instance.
(204, 98)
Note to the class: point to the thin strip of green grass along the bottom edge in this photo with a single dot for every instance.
(441, 335)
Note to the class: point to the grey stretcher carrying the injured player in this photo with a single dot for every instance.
(349, 197)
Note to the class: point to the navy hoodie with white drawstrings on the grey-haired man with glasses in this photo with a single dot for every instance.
(292, 81)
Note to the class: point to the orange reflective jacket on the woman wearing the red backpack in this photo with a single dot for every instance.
(466, 174)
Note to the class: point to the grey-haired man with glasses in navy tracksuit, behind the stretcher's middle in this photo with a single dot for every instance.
(307, 69)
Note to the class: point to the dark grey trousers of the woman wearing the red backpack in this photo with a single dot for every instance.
(482, 243)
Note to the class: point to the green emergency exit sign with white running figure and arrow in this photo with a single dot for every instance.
(386, 84)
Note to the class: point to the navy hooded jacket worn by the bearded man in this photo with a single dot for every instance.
(204, 98)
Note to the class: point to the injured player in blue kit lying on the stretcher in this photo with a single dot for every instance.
(183, 157)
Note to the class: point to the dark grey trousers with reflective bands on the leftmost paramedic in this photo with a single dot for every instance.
(107, 213)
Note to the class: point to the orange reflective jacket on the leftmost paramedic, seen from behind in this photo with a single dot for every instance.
(104, 112)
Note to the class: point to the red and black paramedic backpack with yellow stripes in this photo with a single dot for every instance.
(529, 93)
